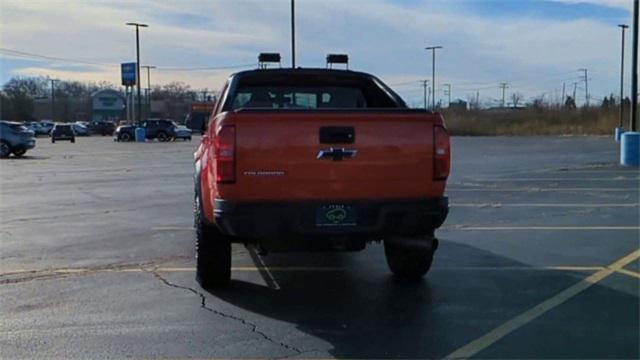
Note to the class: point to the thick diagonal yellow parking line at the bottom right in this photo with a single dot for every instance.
(517, 322)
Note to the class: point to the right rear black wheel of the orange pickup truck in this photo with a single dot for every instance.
(410, 259)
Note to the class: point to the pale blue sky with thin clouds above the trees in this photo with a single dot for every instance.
(535, 45)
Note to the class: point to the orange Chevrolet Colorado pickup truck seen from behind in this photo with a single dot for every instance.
(318, 160)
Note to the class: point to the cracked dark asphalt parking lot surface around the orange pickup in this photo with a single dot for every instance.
(539, 258)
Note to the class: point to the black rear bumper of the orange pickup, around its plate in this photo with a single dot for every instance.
(375, 219)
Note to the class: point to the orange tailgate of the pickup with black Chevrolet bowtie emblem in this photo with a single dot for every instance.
(277, 156)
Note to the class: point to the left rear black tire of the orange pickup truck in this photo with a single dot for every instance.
(213, 253)
